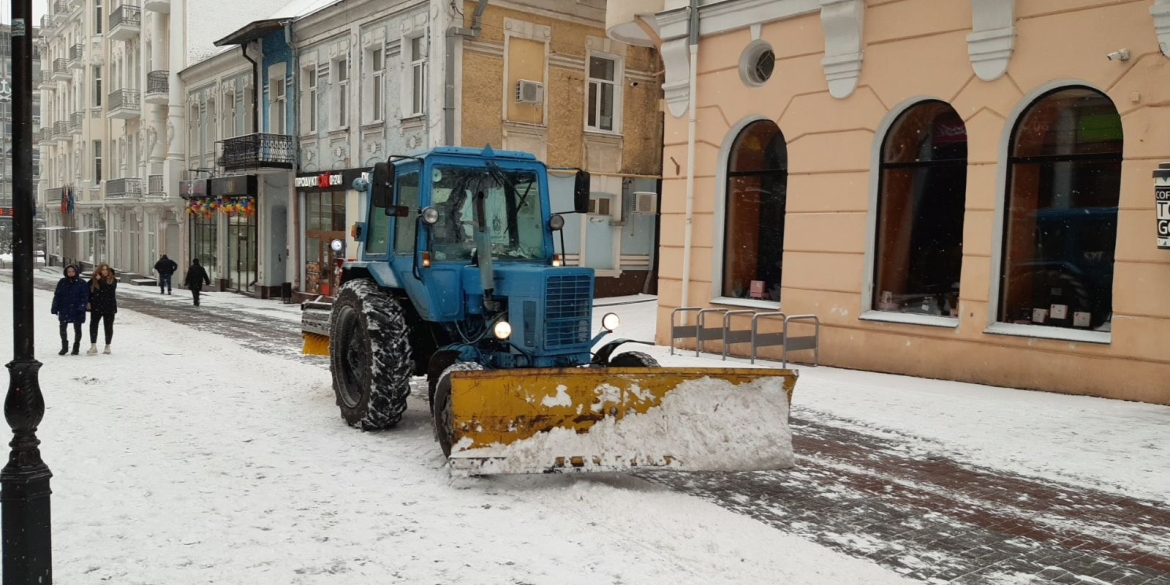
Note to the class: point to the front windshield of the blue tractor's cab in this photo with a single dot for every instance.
(512, 212)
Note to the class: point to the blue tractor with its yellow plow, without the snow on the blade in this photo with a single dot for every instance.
(458, 279)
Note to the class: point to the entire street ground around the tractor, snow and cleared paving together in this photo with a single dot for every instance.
(207, 451)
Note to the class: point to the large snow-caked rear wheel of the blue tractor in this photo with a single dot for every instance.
(369, 356)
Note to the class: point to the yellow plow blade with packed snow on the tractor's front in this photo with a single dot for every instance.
(604, 419)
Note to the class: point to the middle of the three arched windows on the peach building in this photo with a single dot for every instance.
(920, 212)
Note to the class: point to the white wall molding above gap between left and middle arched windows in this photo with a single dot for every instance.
(844, 24)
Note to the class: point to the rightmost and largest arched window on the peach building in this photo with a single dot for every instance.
(1062, 212)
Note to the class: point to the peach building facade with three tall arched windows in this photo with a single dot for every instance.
(958, 190)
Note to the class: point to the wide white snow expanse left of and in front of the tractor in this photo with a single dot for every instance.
(185, 458)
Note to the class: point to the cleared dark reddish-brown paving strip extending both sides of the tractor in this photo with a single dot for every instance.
(927, 518)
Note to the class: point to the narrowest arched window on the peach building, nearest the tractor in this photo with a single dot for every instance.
(754, 228)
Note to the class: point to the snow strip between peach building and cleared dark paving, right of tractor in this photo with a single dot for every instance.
(1111, 445)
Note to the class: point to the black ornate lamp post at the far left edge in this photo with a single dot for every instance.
(25, 481)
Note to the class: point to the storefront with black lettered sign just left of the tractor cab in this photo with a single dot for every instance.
(325, 201)
